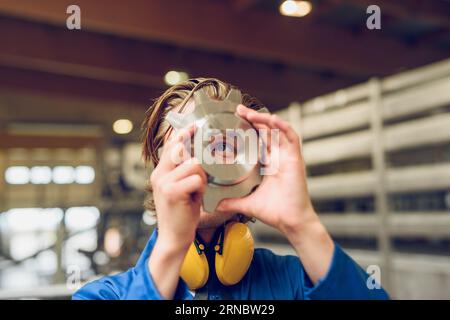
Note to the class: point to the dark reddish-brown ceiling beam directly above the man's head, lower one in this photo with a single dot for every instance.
(136, 64)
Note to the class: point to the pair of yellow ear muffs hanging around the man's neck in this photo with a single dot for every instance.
(234, 253)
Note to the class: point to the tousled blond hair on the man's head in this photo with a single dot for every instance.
(155, 128)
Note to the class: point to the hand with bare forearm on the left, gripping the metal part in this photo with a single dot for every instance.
(178, 184)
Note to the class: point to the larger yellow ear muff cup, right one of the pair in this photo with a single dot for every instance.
(237, 254)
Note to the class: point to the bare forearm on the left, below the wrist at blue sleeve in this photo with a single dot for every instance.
(164, 265)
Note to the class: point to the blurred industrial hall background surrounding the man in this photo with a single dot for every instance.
(372, 107)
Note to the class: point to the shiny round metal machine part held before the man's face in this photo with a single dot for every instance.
(237, 173)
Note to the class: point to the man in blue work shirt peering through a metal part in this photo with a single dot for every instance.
(321, 271)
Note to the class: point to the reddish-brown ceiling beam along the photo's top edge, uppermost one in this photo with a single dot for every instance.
(216, 26)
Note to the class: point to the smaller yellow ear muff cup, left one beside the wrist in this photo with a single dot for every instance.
(195, 269)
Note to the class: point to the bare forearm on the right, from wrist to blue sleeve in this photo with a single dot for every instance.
(314, 246)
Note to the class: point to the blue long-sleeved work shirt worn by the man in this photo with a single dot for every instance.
(269, 277)
